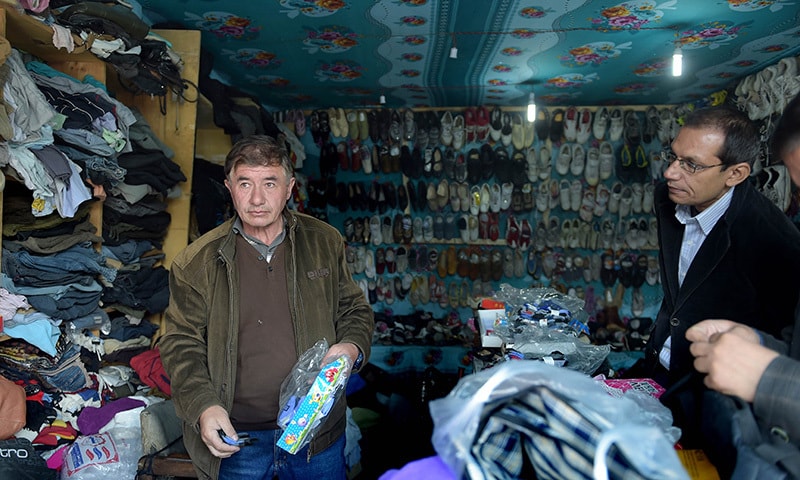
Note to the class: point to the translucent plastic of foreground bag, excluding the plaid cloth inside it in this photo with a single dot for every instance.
(646, 441)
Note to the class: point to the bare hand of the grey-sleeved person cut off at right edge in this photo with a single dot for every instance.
(731, 356)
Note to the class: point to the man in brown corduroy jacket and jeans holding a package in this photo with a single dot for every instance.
(248, 298)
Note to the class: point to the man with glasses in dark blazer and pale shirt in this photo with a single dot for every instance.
(726, 251)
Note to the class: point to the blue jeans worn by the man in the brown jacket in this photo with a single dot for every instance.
(264, 460)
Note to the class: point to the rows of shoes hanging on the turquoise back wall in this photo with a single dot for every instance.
(440, 207)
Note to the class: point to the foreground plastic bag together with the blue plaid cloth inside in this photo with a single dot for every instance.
(639, 430)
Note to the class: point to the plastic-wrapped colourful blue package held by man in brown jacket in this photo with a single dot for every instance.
(308, 393)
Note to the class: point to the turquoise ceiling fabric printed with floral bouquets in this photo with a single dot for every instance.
(347, 53)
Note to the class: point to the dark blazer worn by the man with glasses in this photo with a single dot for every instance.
(747, 270)
